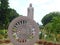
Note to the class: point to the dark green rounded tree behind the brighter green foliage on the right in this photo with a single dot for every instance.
(48, 17)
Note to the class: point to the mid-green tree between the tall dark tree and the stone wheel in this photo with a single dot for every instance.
(11, 15)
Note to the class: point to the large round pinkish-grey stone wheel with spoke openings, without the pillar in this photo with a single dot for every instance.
(23, 31)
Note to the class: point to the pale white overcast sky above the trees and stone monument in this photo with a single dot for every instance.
(41, 7)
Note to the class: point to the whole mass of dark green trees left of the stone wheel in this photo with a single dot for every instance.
(6, 14)
